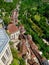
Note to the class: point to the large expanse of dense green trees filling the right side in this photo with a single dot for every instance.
(35, 19)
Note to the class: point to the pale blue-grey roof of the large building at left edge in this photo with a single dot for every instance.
(4, 39)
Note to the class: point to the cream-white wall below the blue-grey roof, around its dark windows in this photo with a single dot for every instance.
(9, 59)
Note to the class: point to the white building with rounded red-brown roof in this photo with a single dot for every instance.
(14, 32)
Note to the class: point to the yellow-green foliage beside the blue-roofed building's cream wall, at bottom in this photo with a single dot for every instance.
(16, 60)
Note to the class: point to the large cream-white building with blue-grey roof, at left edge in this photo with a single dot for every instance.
(5, 52)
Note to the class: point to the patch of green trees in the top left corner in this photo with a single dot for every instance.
(8, 6)
